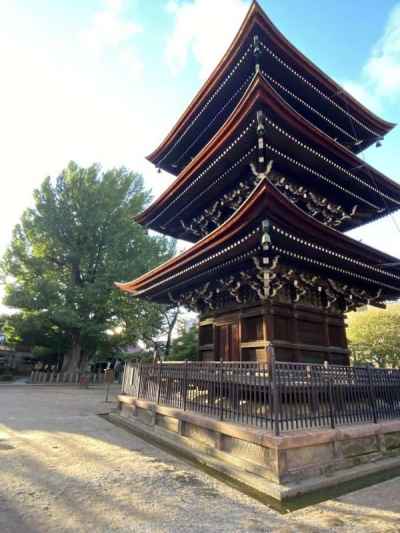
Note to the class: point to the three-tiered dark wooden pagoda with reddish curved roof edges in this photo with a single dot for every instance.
(267, 181)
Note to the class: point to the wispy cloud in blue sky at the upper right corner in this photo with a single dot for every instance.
(380, 77)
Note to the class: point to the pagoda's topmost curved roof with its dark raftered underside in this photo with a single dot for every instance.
(304, 85)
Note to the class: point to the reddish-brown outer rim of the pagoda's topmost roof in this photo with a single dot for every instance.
(256, 14)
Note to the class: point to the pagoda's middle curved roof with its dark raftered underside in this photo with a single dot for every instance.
(314, 157)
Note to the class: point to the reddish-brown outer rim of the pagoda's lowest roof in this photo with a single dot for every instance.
(264, 199)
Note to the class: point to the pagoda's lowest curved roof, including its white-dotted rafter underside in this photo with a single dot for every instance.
(295, 236)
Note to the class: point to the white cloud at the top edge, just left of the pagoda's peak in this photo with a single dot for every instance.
(205, 28)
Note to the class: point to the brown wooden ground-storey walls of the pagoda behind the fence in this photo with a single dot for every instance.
(299, 333)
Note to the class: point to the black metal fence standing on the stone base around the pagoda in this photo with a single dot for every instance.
(277, 397)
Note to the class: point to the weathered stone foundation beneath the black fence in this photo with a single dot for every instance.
(282, 467)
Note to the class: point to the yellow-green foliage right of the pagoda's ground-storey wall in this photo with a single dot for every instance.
(374, 336)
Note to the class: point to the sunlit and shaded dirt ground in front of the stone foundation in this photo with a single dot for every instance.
(65, 469)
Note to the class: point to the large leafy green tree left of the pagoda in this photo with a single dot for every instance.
(66, 254)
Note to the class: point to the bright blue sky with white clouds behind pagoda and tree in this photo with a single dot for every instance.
(104, 81)
